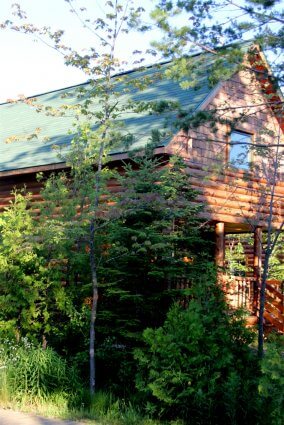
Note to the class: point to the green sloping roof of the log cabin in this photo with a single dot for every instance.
(20, 119)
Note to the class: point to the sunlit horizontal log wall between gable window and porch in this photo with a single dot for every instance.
(233, 200)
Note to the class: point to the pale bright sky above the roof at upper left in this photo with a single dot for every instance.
(28, 67)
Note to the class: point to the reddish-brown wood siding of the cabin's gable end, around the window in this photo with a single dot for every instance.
(233, 195)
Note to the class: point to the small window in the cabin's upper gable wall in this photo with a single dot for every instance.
(240, 152)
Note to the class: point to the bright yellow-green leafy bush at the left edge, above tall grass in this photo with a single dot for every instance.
(29, 288)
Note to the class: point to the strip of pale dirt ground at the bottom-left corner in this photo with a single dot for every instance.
(10, 417)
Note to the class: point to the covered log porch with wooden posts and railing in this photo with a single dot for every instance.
(242, 291)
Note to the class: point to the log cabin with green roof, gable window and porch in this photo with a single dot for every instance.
(234, 161)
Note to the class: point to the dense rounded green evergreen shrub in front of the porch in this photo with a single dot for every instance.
(198, 366)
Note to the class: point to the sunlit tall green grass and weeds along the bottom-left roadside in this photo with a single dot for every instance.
(40, 381)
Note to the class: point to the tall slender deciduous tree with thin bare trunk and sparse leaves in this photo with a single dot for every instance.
(97, 124)
